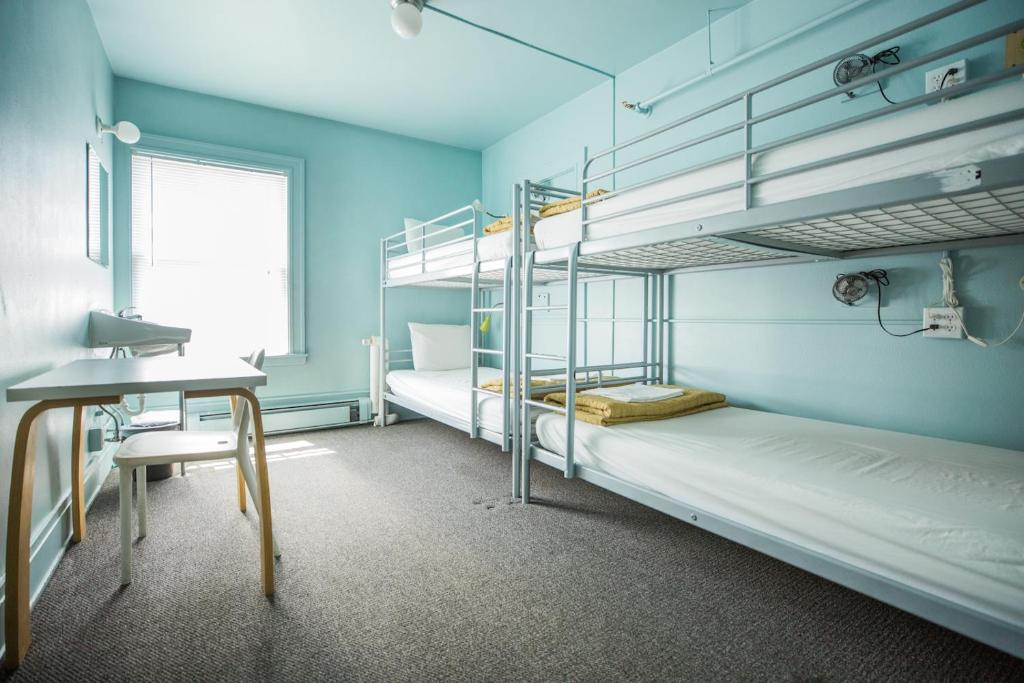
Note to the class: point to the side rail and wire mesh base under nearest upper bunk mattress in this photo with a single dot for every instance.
(910, 215)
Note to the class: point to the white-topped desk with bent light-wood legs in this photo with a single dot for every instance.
(99, 382)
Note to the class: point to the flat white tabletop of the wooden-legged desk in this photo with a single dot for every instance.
(115, 377)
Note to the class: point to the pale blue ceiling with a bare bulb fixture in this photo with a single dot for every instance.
(339, 59)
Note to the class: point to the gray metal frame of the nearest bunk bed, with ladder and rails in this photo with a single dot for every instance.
(977, 205)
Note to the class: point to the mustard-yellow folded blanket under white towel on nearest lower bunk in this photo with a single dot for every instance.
(606, 412)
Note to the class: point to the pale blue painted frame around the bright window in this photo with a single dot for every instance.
(294, 168)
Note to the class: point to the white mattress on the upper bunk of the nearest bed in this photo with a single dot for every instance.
(991, 143)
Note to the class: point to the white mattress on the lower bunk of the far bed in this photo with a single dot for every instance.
(448, 392)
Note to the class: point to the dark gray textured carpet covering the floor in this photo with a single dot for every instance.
(406, 561)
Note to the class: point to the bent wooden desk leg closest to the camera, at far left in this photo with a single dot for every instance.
(18, 624)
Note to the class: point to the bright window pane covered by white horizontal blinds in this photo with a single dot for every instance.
(214, 248)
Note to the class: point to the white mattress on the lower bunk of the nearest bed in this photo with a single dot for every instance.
(942, 517)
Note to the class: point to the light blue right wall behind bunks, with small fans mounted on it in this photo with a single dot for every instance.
(774, 338)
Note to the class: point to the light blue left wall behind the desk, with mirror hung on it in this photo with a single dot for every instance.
(55, 80)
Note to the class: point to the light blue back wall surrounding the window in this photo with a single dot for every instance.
(360, 186)
